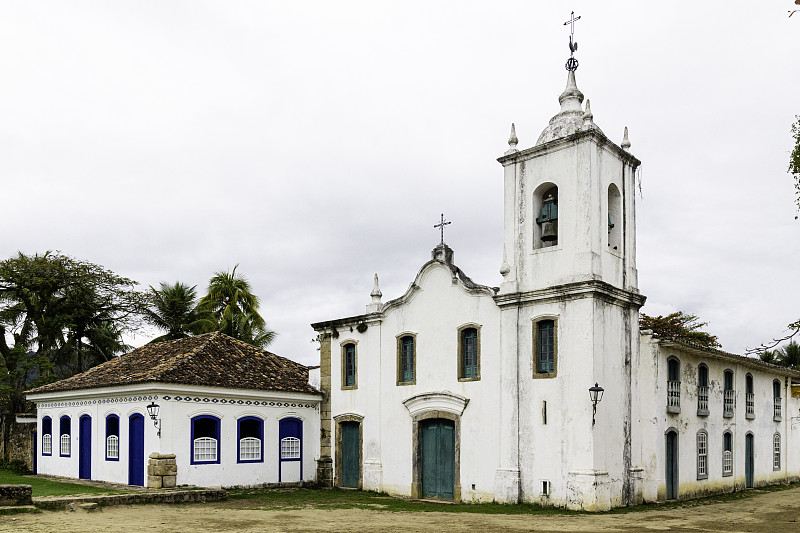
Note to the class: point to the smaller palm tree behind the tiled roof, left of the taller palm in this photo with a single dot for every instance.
(174, 309)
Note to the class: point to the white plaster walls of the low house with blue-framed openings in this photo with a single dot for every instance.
(176, 431)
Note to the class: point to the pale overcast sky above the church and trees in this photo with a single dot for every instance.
(316, 143)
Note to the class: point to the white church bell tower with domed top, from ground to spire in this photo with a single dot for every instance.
(569, 311)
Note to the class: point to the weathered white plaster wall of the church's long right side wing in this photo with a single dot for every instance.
(655, 421)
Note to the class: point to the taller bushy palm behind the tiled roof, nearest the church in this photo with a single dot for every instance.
(233, 309)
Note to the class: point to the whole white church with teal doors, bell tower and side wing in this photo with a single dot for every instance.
(461, 391)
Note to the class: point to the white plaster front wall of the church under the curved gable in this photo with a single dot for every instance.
(434, 313)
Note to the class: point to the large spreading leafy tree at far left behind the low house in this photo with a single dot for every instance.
(58, 316)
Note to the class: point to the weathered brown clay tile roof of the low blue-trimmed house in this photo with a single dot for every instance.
(212, 359)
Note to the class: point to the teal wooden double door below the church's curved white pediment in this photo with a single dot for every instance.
(438, 459)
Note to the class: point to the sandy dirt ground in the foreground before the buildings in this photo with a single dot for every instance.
(765, 512)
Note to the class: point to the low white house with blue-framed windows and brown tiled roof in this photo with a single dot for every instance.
(228, 414)
